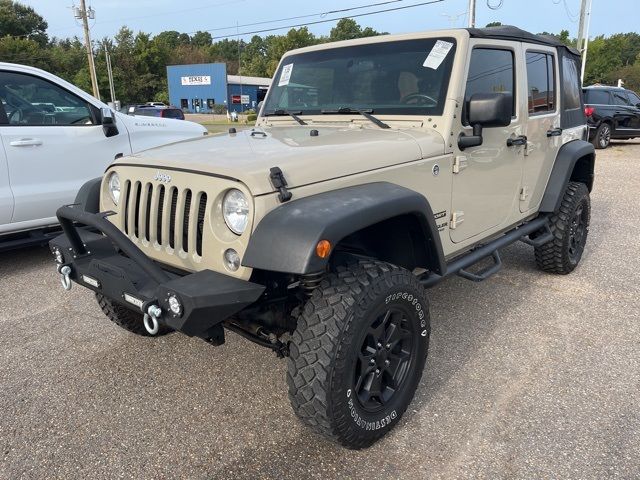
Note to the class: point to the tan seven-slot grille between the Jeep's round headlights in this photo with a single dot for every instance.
(168, 216)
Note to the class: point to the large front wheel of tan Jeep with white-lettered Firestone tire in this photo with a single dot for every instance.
(338, 346)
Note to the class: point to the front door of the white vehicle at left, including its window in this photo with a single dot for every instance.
(53, 144)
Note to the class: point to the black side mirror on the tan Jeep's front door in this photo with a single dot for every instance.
(486, 110)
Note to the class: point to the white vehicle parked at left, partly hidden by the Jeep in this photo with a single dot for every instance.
(53, 138)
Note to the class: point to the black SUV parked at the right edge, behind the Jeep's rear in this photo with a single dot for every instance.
(612, 112)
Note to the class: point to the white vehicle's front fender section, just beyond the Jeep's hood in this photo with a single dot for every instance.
(150, 132)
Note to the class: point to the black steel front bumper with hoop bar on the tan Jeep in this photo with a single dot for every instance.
(112, 265)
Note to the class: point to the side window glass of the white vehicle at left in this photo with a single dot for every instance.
(30, 100)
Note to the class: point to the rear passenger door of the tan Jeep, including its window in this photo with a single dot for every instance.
(544, 135)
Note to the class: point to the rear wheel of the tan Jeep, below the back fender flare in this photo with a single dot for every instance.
(570, 227)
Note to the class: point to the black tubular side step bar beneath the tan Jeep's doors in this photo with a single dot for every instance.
(458, 266)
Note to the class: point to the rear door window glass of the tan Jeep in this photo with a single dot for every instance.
(540, 83)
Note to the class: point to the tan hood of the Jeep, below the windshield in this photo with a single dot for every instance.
(304, 159)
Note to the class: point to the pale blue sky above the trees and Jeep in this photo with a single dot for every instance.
(154, 16)
